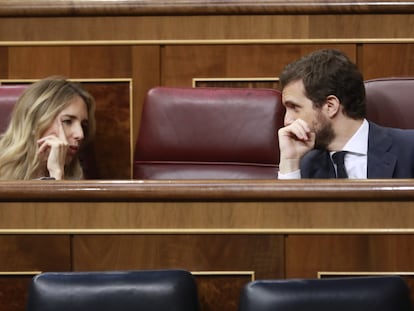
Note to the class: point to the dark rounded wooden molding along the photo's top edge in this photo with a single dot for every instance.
(26, 8)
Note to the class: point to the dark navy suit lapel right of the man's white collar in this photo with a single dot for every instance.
(381, 163)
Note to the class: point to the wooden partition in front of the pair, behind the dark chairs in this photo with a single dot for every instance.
(226, 232)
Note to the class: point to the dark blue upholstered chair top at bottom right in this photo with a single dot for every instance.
(379, 293)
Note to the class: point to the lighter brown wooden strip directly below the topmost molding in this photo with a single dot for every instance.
(208, 27)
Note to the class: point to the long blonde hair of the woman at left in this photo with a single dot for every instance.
(34, 112)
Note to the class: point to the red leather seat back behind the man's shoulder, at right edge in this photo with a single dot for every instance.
(390, 101)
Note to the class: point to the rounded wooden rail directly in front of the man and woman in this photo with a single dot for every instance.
(207, 190)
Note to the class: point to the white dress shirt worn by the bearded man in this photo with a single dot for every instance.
(355, 160)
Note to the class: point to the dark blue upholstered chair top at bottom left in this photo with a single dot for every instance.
(151, 290)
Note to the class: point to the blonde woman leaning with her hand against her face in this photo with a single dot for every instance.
(51, 121)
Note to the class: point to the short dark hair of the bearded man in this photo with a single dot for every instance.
(329, 72)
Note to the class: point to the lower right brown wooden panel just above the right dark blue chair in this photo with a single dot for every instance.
(310, 254)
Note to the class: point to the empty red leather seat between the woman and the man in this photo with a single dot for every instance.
(209, 133)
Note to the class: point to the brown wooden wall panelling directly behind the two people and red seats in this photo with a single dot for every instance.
(149, 65)
